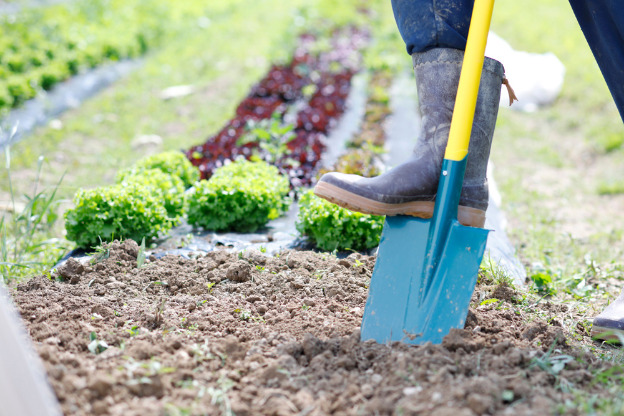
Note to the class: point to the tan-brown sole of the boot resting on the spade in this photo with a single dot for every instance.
(467, 216)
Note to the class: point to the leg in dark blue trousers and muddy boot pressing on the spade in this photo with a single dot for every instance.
(410, 188)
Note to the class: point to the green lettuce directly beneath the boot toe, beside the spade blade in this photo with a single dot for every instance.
(334, 228)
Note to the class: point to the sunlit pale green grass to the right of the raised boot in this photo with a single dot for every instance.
(559, 171)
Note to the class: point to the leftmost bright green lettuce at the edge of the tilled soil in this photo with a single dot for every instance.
(119, 211)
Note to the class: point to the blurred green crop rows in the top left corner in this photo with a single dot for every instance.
(43, 46)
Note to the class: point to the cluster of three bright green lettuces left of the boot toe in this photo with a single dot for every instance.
(159, 191)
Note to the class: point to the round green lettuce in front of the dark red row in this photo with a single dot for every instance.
(241, 196)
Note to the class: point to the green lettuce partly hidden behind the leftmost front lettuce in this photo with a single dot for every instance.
(173, 163)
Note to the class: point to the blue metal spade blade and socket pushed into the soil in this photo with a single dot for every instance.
(426, 271)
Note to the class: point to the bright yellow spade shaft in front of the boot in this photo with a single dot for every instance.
(466, 101)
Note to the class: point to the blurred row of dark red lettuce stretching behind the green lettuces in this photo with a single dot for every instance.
(285, 118)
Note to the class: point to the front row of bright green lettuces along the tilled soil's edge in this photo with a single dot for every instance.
(156, 194)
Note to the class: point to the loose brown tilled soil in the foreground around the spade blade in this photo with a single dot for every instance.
(255, 335)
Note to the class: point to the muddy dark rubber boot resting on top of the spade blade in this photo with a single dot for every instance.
(410, 188)
